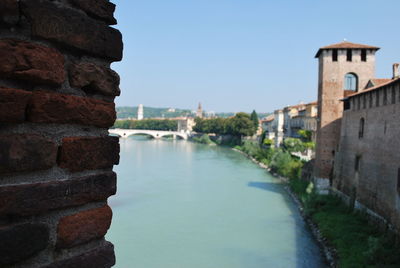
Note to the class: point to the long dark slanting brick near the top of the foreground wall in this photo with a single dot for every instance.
(73, 29)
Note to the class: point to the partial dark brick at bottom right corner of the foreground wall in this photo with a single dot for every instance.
(100, 257)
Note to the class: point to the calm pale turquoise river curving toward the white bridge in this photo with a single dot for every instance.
(186, 205)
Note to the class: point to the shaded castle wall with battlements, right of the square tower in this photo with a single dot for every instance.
(372, 184)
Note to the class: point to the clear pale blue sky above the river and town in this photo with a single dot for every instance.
(239, 55)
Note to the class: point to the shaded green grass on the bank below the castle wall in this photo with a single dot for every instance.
(357, 242)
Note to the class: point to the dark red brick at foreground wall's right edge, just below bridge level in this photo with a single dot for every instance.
(83, 153)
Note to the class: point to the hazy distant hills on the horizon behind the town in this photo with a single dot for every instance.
(126, 112)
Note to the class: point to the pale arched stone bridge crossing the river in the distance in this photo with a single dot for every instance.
(156, 134)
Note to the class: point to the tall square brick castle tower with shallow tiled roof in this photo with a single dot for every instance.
(344, 68)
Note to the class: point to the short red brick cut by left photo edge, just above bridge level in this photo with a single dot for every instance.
(13, 103)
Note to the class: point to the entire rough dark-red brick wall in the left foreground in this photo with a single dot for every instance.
(56, 104)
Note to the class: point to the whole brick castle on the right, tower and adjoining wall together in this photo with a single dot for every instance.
(357, 150)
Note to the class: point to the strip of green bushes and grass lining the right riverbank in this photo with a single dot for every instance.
(357, 242)
